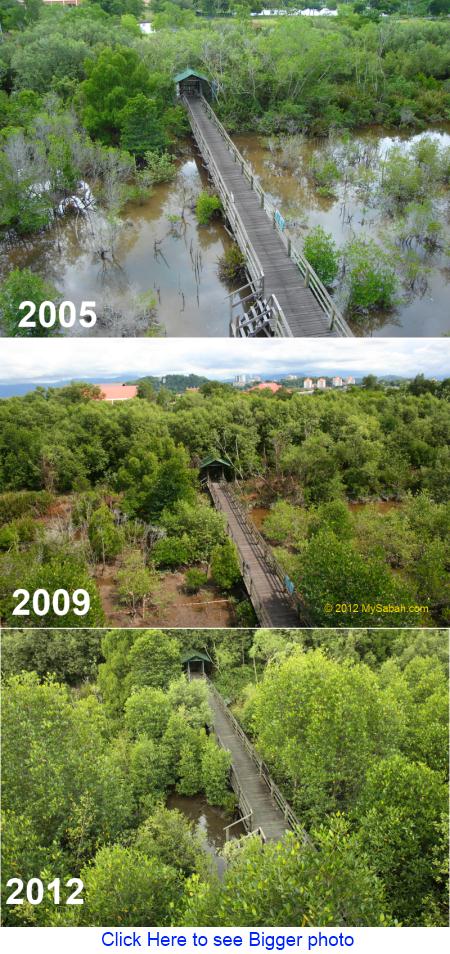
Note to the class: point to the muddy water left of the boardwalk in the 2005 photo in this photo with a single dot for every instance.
(175, 261)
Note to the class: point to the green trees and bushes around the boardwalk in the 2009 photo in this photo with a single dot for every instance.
(129, 477)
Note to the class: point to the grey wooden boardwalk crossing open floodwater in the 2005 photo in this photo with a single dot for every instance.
(303, 313)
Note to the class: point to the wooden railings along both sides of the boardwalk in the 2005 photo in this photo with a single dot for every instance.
(338, 325)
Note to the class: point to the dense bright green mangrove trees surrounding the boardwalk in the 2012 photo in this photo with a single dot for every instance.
(354, 727)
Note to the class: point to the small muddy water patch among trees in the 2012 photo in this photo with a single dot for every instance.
(209, 821)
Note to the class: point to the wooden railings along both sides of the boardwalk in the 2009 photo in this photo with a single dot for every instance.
(265, 550)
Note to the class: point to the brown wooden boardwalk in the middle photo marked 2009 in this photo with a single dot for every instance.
(268, 595)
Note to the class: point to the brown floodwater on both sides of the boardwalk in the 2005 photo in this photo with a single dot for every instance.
(176, 260)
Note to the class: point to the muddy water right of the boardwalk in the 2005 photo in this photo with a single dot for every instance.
(345, 216)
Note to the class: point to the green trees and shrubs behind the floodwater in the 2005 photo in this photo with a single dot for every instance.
(68, 115)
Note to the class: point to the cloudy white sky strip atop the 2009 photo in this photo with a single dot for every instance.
(42, 361)
